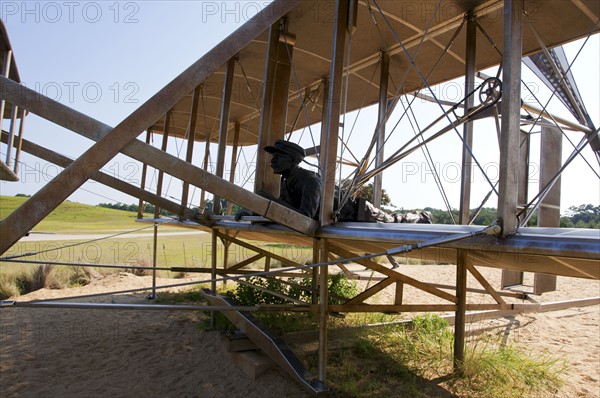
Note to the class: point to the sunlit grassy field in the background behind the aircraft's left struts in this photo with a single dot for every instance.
(193, 249)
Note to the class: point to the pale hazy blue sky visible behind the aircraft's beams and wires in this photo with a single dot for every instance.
(106, 58)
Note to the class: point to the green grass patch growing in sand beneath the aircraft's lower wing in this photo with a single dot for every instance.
(417, 362)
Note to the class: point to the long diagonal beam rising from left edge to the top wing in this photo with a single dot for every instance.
(36, 208)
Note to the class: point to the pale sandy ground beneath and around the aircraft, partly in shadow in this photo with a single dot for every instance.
(100, 353)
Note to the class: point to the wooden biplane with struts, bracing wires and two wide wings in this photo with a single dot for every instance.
(305, 63)
